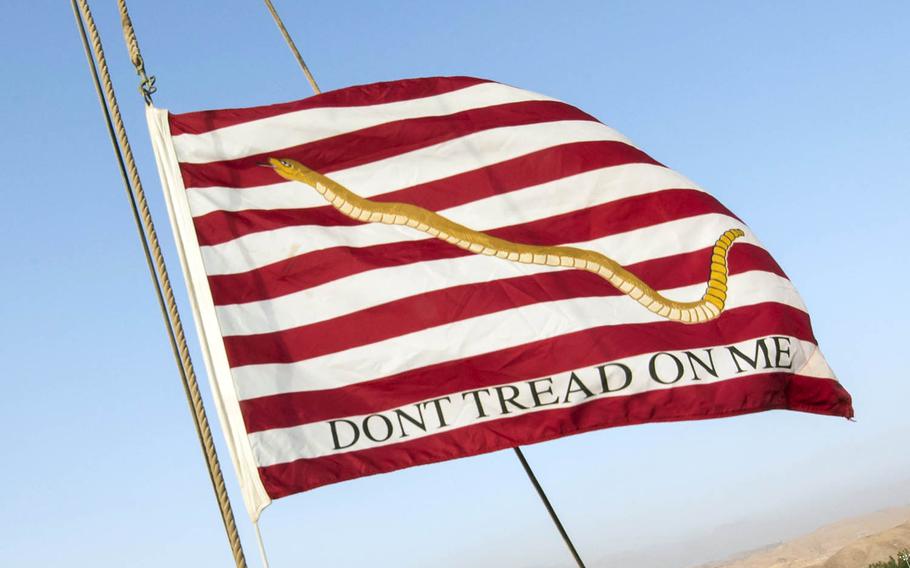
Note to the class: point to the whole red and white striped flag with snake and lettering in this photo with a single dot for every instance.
(340, 347)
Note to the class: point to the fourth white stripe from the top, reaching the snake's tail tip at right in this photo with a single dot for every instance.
(361, 291)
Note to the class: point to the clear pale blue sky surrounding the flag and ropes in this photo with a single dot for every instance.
(794, 114)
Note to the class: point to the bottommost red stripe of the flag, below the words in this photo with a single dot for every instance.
(727, 398)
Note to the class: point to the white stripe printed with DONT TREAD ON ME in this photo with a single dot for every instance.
(313, 440)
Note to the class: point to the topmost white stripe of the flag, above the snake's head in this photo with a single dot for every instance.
(304, 126)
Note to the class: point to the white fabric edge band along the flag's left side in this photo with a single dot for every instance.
(219, 372)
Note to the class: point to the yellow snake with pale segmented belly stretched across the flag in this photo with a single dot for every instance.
(358, 208)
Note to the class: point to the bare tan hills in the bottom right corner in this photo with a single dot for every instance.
(851, 543)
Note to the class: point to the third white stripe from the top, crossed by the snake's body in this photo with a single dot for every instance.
(558, 197)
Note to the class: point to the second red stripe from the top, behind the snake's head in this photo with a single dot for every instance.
(376, 143)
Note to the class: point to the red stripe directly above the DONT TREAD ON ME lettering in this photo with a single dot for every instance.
(523, 362)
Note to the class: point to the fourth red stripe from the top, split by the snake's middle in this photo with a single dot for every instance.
(318, 267)
